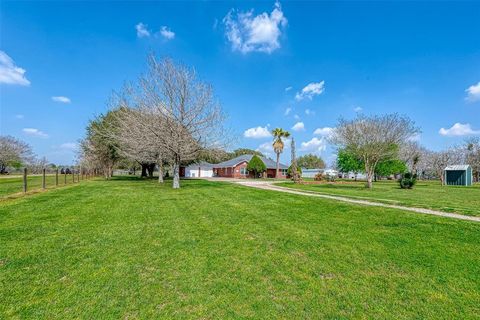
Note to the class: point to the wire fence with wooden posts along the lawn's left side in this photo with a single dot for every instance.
(27, 182)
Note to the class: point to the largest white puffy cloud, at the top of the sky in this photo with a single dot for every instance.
(248, 33)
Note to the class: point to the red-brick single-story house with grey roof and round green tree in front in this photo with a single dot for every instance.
(237, 168)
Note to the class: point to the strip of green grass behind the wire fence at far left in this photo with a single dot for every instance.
(14, 184)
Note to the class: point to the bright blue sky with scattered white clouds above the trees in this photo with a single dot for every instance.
(271, 65)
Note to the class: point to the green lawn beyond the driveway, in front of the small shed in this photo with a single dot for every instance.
(425, 194)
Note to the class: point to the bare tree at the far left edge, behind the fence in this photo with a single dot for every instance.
(14, 152)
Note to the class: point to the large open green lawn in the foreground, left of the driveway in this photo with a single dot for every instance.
(133, 249)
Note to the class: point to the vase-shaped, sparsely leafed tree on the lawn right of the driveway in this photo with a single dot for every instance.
(373, 139)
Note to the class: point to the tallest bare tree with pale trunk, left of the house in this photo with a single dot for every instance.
(169, 116)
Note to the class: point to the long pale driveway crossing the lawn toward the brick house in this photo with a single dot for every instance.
(271, 186)
